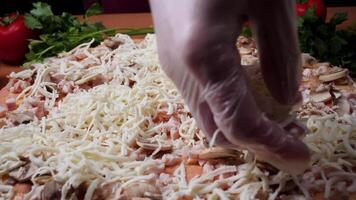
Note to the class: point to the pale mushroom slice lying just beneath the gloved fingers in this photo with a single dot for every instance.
(218, 152)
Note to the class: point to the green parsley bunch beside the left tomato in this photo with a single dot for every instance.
(63, 32)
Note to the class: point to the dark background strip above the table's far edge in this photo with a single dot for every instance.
(109, 6)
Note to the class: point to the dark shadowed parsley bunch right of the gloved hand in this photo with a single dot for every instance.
(323, 41)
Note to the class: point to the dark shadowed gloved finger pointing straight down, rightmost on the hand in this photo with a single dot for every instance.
(275, 28)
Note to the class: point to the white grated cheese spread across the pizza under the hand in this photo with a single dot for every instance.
(90, 136)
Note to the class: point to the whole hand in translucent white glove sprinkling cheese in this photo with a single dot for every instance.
(196, 46)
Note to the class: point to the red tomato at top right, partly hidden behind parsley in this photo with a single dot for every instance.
(320, 8)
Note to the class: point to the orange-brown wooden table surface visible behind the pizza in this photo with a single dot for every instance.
(143, 20)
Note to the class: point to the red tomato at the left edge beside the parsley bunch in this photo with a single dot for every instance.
(14, 37)
